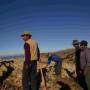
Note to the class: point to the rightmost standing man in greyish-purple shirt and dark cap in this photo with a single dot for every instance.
(85, 62)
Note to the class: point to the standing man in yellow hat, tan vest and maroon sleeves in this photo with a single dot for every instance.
(32, 55)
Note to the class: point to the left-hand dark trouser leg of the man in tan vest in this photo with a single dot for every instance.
(25, 79)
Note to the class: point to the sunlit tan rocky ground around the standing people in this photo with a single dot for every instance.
(65, 81)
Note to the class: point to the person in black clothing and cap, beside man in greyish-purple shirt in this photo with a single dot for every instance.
(80, 78)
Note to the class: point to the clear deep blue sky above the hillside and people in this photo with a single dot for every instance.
(53, 23)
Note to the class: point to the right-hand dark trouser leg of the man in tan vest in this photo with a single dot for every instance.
(33, 75)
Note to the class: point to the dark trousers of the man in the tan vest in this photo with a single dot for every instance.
(29, 78)
